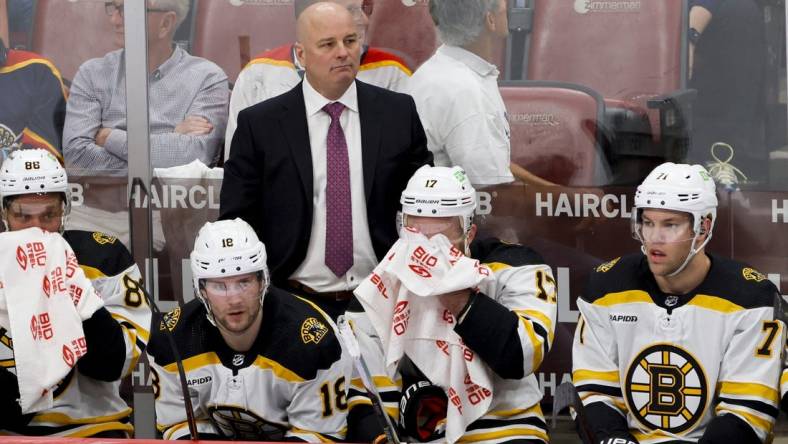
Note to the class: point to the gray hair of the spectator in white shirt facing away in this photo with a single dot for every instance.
(460, 22)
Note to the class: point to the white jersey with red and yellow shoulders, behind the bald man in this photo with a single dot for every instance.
(274, 72)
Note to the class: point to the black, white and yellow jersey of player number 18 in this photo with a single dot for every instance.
(291, 383)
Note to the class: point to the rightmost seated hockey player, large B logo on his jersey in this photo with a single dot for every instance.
(676, 344)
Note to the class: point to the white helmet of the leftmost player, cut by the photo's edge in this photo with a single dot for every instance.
(33, 171)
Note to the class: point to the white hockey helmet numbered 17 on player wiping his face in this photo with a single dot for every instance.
(440, 192)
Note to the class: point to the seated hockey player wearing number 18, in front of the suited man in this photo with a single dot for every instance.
(261, 364)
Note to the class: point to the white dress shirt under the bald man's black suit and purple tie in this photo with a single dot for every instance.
(313, 272)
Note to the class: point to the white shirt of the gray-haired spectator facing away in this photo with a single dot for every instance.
(463, 114)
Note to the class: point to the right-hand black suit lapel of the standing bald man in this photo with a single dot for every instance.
(371, 120)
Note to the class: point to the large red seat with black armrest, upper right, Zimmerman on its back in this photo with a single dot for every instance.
(634, 54)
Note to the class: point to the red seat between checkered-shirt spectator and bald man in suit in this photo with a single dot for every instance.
(219, 26)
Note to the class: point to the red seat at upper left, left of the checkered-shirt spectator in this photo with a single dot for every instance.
(71, 32)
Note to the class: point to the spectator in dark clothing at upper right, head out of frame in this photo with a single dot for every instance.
(728, 55)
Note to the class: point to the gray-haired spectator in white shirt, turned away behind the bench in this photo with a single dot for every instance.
(456, 93)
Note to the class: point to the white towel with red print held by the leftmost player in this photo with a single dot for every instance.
(44, 297)
